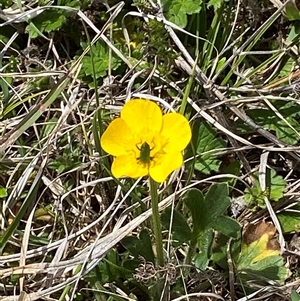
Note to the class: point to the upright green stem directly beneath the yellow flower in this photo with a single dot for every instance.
(156, 222)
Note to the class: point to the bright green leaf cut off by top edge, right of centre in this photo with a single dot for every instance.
(177, 10)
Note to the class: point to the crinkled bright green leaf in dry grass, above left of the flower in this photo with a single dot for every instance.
(99, 61)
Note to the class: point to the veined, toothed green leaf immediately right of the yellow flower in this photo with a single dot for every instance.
(204, 140)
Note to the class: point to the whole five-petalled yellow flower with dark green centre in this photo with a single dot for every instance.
(143, 141)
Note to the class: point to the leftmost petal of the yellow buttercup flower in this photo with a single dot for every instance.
(117, 139)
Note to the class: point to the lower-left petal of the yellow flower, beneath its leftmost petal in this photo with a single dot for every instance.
(128, 166)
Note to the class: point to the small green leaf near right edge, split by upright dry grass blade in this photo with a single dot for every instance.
(274, 191)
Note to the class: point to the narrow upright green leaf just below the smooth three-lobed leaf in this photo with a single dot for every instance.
(204, 244)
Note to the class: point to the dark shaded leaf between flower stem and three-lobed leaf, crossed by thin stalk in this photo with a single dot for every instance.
(180, 229)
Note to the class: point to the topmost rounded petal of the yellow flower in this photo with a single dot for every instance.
(143, 117)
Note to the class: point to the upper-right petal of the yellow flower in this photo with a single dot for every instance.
(176, 132)
